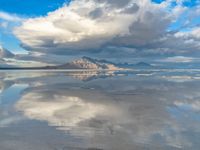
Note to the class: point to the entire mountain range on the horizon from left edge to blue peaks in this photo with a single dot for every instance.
(81, 63)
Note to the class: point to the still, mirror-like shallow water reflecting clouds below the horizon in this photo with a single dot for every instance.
(139, 110)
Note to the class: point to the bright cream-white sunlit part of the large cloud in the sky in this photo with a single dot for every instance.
(73, 27)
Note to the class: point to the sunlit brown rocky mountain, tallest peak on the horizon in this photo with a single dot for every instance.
(89, 63)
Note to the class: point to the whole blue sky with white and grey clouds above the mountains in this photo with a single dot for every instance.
(53, 31)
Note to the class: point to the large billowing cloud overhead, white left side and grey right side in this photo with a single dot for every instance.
(93, 25)
